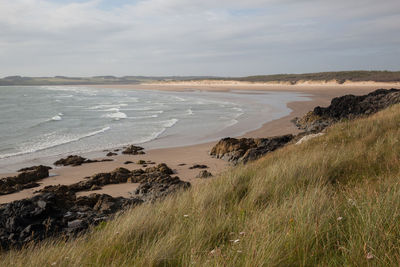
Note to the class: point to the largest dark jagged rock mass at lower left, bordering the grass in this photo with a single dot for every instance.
(57, 211)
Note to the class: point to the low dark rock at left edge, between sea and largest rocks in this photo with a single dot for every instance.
(26, 179)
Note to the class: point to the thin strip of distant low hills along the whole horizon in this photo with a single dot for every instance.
(340, 77)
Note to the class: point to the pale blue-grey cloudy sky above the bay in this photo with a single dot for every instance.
(197, 37)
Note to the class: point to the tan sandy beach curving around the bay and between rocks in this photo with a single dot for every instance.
(181, 158)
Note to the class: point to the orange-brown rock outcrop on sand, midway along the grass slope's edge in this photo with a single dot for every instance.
(247, 149)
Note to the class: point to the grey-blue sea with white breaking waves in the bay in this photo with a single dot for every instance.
(38, 121)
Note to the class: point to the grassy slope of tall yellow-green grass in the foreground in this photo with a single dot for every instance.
(334, 200)
